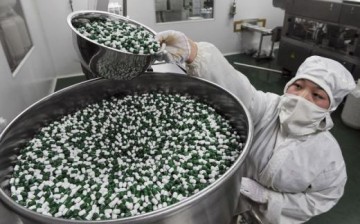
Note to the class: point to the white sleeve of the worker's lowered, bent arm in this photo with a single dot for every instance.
(285, 208)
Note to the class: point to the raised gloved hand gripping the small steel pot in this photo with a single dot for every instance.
(178, 46)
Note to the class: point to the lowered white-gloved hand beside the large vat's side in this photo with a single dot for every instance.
(253, 190)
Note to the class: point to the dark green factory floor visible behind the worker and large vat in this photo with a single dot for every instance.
(347, 211)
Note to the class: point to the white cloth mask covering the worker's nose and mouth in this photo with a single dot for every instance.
(299, 116)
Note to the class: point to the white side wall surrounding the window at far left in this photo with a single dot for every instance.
(34, 78)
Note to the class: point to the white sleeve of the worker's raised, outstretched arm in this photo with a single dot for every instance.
(211, 65)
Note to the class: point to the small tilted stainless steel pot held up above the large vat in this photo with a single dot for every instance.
(105, 61)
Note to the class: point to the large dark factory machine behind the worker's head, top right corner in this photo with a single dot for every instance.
(317, 27)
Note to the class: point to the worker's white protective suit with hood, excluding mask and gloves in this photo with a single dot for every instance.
(303, 176)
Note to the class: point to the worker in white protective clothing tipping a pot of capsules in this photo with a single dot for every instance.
(294, 169)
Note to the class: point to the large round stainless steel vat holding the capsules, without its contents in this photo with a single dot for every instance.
(213, 205)
